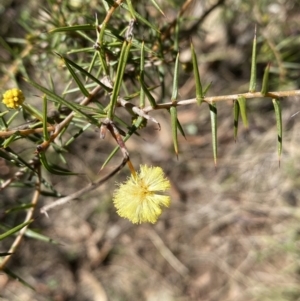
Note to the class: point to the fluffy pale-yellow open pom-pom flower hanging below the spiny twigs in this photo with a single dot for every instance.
(139, 199)
